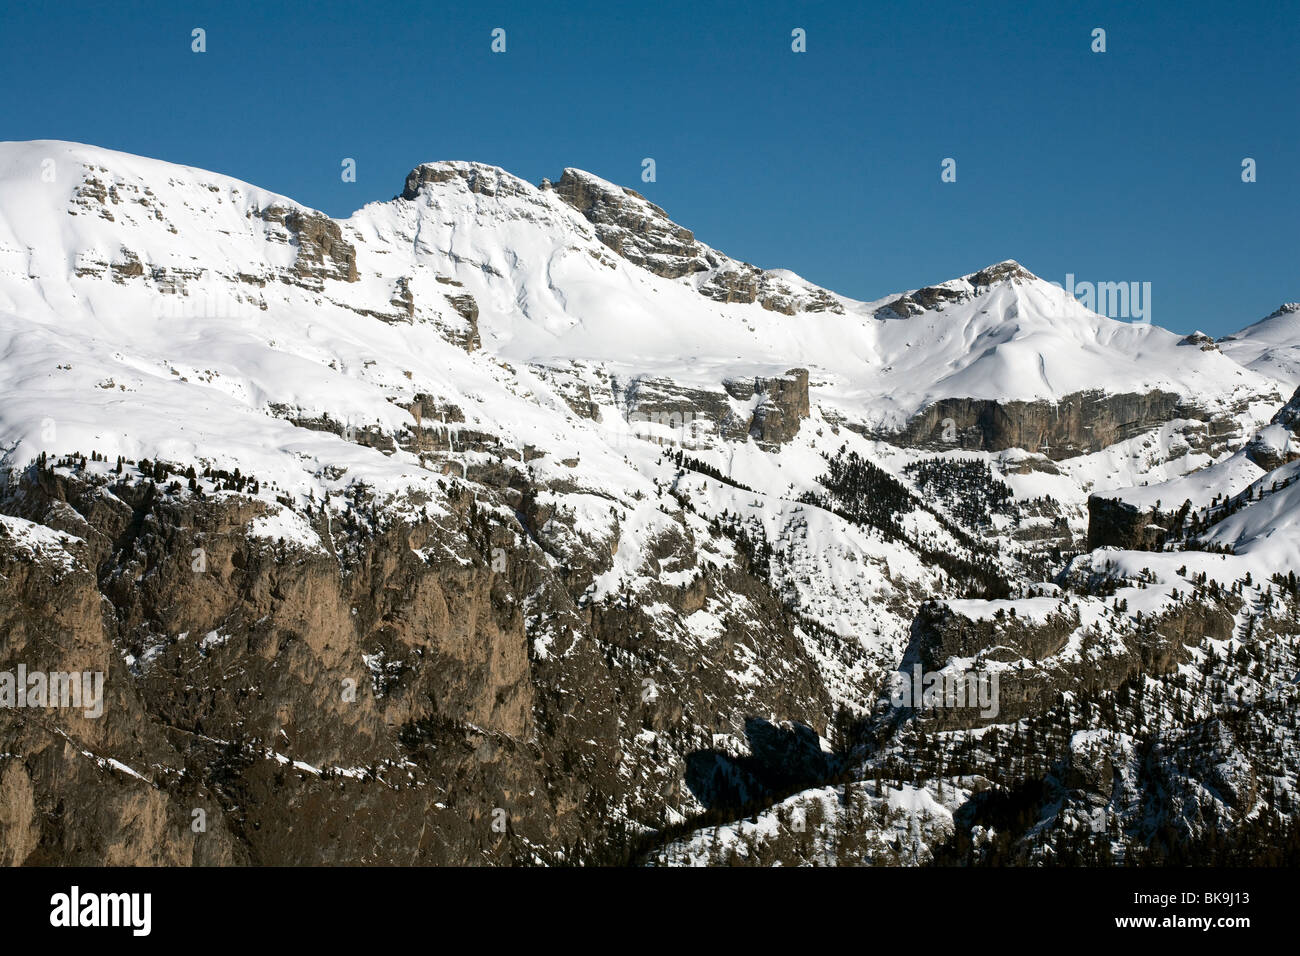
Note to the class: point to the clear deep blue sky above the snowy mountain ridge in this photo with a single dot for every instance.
(1115, 167)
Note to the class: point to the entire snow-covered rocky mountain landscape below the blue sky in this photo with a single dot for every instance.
(513, 525)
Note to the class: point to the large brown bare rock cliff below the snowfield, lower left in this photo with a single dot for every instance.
(391, 695)
